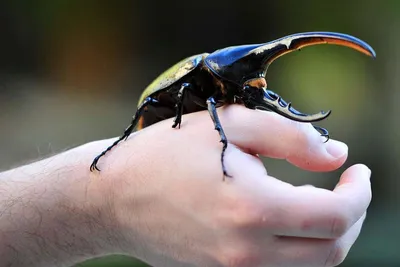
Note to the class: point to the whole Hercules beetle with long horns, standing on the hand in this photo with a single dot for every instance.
(230, 75)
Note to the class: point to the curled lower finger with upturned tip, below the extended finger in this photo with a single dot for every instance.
(319, 213)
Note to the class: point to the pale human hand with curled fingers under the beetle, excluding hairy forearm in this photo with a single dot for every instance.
(170, 203)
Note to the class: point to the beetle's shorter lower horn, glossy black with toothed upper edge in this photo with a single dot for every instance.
(273, 102)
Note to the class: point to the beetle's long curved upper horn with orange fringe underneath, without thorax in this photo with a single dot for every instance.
(275, 49)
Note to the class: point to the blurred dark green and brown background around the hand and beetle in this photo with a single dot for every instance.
(72, 71)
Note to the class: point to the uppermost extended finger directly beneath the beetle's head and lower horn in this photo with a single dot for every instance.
(275, 136)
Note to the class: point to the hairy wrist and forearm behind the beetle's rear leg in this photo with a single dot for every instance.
(57, 211)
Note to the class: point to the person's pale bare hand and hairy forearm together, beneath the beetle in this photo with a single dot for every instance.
(160, 197)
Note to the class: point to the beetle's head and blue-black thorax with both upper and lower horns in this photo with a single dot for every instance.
(247, 67)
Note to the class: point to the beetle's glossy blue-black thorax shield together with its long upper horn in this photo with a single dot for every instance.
(238, 63)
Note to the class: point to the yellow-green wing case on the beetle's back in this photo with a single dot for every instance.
(173, 74)
